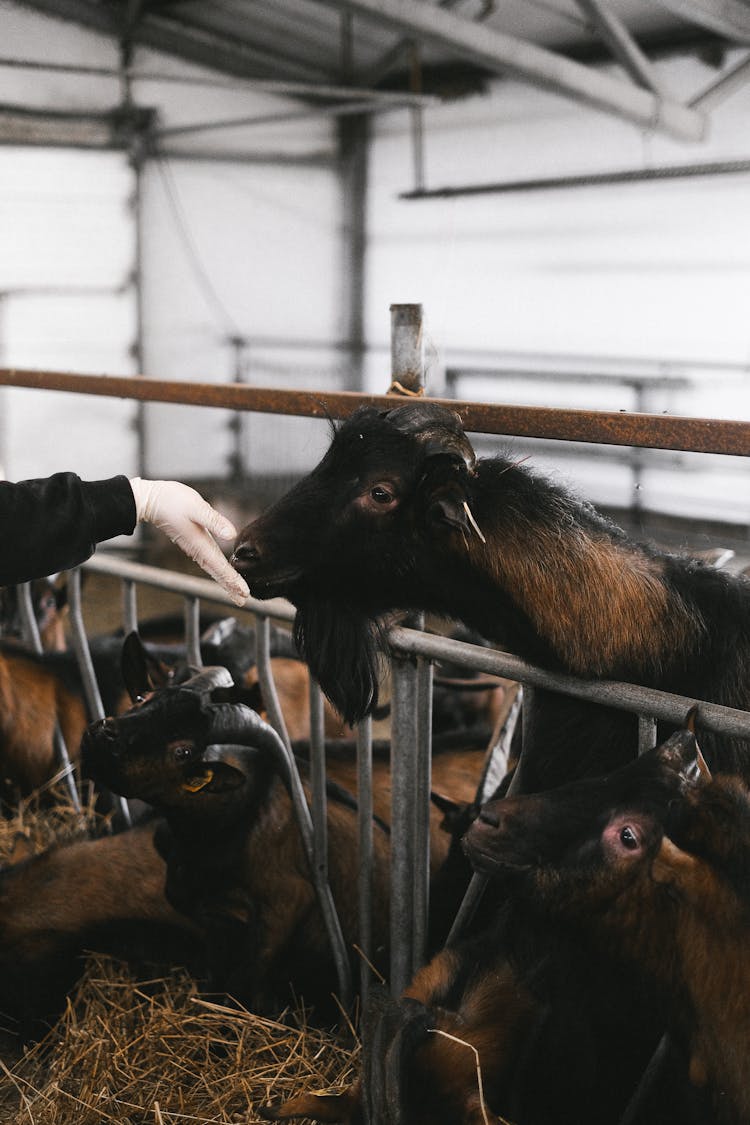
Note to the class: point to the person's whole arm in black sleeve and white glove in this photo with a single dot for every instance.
(56, 524)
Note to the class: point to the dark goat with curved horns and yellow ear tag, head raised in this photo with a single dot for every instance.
(237, 862)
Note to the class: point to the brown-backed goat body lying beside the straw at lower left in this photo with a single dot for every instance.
(105, 894)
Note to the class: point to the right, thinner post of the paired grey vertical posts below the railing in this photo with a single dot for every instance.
(423, 785)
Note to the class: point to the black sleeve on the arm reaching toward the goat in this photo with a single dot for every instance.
(55, 524)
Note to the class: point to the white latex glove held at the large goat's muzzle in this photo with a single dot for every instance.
(191, 523)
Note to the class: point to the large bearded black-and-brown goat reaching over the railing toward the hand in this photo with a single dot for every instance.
(400, 515)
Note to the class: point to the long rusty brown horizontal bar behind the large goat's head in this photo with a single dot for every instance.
(607, 428)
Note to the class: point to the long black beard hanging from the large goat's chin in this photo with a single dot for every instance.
(342, 647)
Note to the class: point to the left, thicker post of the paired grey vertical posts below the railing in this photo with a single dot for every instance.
(404, 796)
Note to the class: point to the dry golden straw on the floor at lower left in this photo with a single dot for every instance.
(156, 1051)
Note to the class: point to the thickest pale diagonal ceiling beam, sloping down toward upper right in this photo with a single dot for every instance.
(525, 61)
